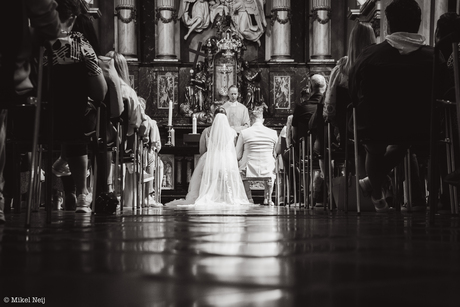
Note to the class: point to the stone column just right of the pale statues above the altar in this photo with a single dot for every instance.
(281, 31)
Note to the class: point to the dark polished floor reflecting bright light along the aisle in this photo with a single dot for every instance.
(259, 256)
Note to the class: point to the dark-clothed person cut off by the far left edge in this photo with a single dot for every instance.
(15, 62)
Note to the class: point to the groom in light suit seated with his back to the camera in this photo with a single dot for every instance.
(255, 151)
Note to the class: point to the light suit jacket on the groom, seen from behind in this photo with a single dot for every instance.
(255, 151)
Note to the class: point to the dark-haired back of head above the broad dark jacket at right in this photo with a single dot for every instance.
(403, 16)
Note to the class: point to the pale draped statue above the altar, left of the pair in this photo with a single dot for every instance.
(195, 15)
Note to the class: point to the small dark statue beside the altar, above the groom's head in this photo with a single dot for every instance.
(251, 86)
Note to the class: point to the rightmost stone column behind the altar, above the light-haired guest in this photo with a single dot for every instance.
(321, 59)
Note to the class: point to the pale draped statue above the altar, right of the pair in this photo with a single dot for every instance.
(249, 19)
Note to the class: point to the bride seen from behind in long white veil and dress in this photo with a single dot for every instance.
(216, 179)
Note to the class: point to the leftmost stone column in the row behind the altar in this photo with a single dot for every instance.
(126, 28)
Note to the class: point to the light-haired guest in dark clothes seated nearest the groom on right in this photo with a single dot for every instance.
(307, 118)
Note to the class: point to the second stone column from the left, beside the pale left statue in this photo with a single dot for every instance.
(166, 16)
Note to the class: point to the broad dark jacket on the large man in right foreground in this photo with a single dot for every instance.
(392, 92)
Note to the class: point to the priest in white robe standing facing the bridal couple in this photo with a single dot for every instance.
(237, 113)
